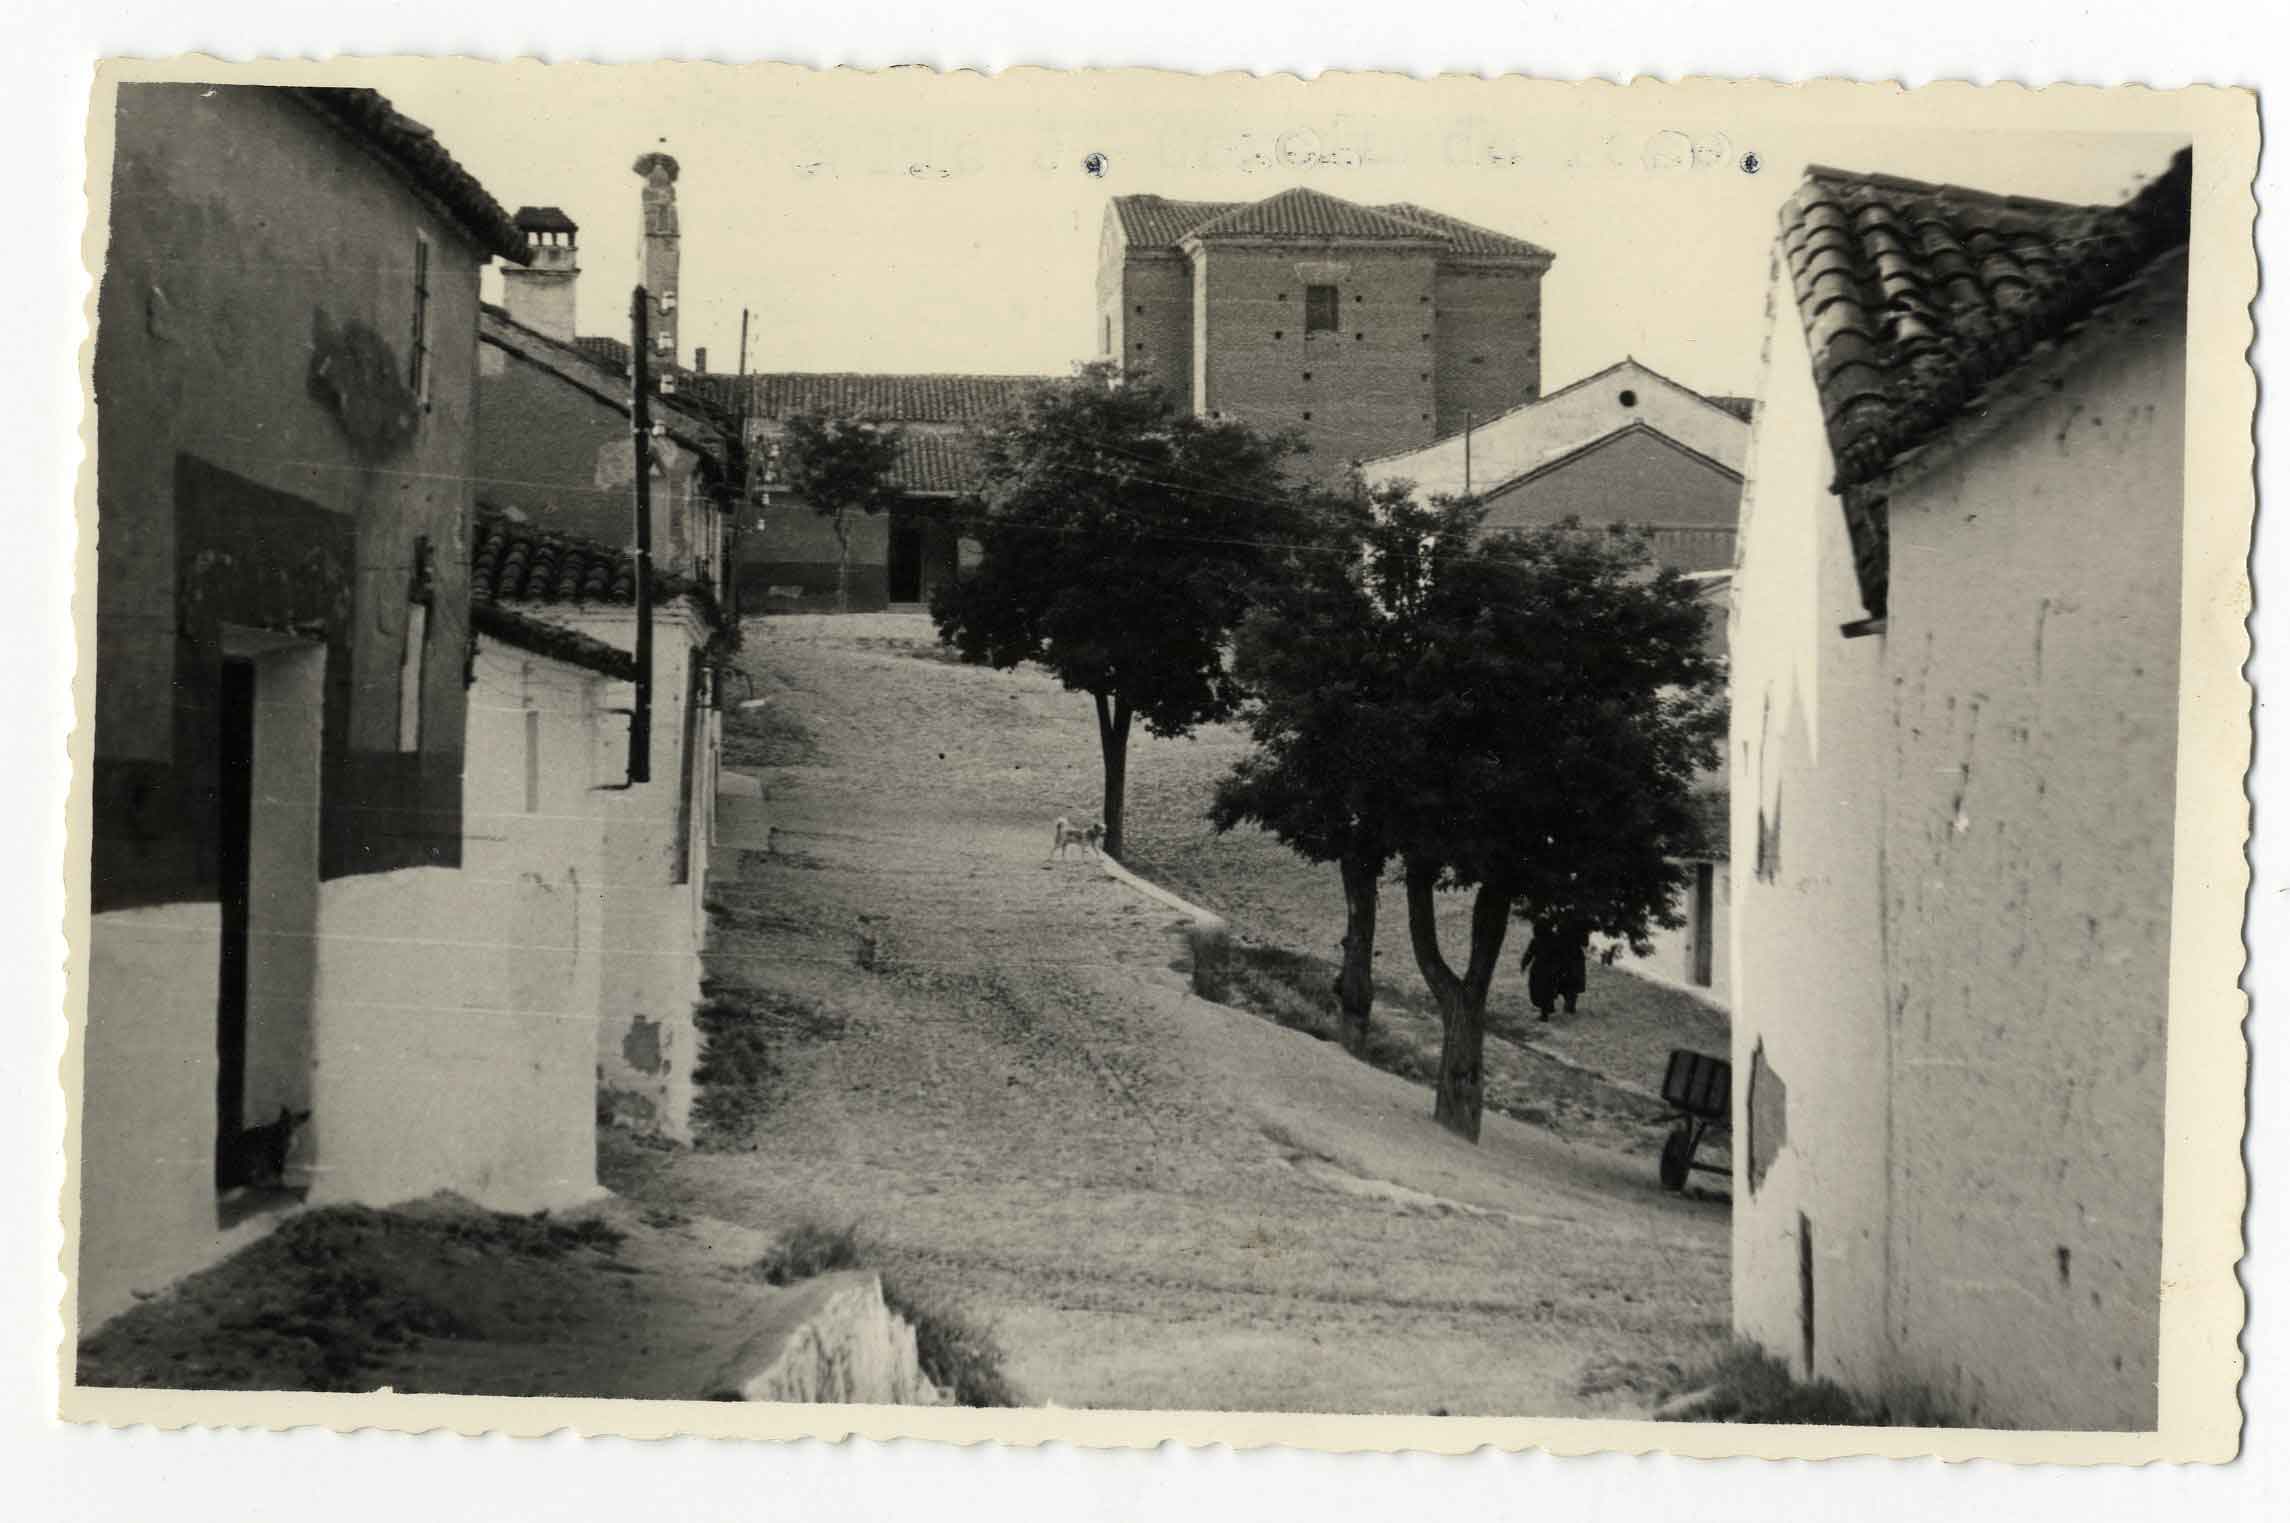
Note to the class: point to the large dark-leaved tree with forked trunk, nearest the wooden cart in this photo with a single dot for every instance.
(1540, 709)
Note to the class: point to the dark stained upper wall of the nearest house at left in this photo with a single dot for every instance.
(214, 361)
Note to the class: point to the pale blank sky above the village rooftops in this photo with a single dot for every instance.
(917, 221)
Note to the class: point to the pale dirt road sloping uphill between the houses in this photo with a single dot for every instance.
(1155, 1201)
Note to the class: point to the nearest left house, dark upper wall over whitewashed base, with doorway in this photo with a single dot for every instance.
(285, 917)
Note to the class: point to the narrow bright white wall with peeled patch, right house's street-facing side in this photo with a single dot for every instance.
(1810, 755)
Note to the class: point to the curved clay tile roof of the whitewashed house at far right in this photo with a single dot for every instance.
(1918, 297)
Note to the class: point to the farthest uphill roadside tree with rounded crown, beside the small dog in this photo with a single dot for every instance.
(1121, 542)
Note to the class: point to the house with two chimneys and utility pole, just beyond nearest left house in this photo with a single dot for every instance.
(553, 555)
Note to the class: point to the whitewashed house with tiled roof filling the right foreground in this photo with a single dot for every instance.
(1955, 741)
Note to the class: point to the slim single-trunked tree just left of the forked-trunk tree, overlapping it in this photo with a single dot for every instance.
(1327, 668)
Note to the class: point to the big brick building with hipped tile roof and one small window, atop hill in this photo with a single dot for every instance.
(1364, 329)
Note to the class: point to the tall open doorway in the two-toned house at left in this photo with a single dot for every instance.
(271, 704)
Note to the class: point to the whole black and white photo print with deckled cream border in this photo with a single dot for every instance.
(1437, 757)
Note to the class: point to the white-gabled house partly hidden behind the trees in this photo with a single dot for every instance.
(1622, 445)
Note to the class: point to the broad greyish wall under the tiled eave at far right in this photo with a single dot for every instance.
(2035, 652)
